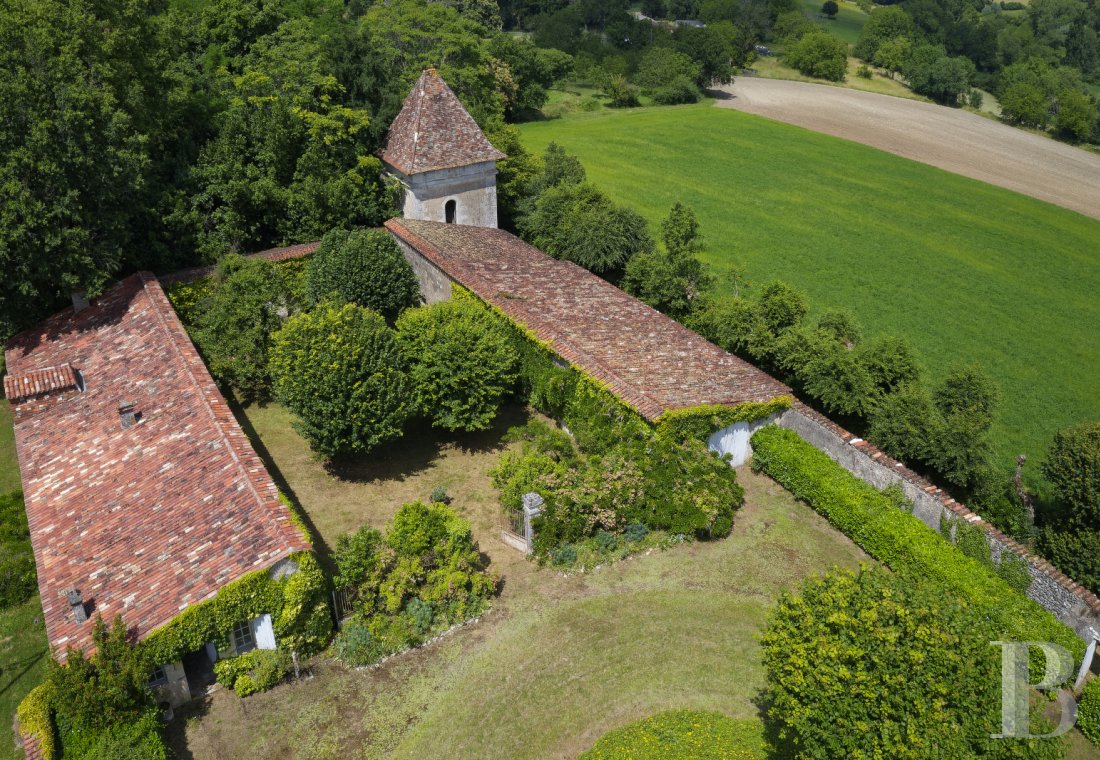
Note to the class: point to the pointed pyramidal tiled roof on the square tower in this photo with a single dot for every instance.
(434, 131)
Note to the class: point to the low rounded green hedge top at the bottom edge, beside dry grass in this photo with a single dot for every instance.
(683, 735)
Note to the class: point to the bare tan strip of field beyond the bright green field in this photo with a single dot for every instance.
(948, 138)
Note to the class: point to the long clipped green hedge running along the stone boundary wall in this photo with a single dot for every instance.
(899, 539)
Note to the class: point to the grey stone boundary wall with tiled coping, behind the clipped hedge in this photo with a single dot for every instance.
(1070, 602)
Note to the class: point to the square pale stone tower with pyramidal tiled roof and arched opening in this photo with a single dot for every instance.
(442, 158)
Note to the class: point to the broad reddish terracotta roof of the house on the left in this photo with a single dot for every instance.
(149, 520)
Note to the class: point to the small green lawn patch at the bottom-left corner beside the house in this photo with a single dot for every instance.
(24, 657)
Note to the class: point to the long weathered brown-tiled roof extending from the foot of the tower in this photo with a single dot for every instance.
(650, 361)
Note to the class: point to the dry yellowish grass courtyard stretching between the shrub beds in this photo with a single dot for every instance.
(559, 660)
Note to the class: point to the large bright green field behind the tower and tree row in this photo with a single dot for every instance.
(970, 272)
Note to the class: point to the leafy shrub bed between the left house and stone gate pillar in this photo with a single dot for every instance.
(419, 579)
